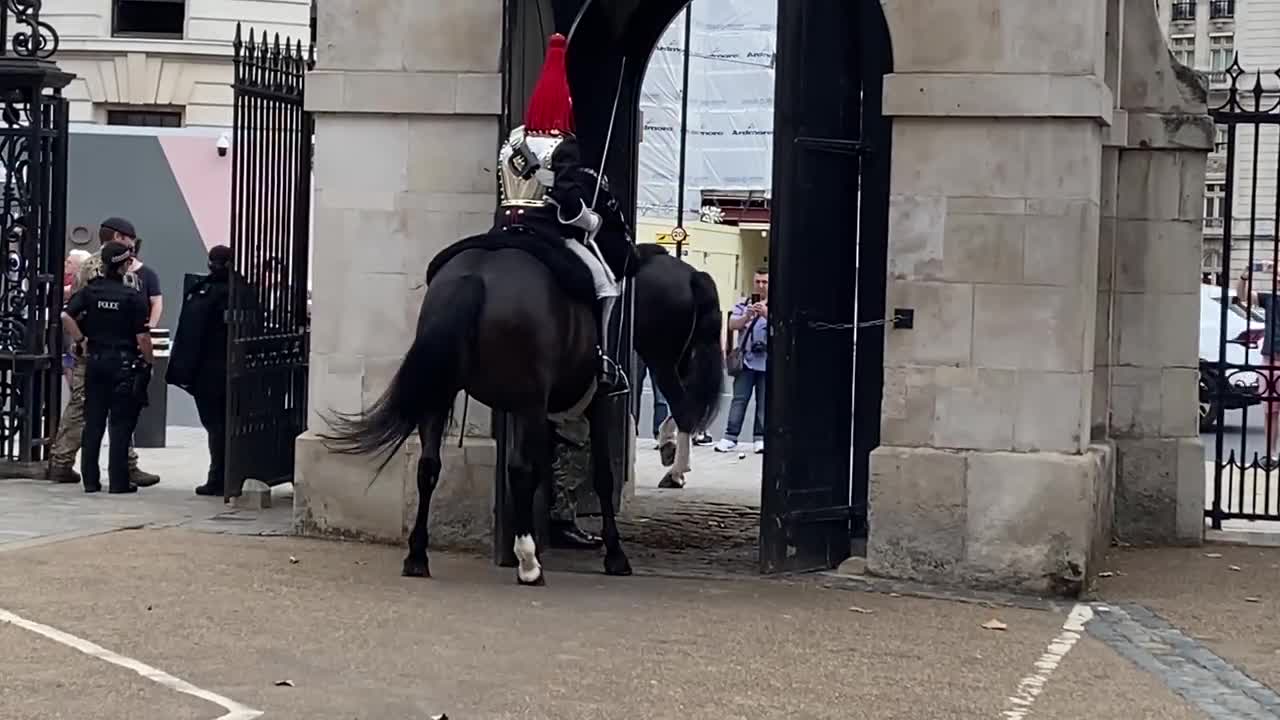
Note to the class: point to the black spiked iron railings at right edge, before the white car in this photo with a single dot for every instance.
(1240, 379)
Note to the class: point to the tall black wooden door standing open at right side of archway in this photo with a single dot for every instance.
(831, 58)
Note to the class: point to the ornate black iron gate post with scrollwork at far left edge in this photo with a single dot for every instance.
(33, 231)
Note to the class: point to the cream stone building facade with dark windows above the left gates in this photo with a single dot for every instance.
(162, 63)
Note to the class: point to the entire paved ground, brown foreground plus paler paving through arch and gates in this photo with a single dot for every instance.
(167, 607)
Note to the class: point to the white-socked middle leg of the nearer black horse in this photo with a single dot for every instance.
(529, 446)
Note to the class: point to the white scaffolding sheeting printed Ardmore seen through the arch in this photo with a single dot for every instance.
(730, 142)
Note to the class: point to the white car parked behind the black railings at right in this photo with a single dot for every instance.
(1231, 382)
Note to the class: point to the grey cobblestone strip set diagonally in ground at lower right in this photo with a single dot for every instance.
(1185, 666)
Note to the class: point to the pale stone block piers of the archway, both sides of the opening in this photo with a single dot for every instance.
(1031, 184)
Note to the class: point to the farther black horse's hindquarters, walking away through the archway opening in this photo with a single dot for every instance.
(678, 336)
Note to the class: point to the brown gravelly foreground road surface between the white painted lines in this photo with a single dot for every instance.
(319, 631)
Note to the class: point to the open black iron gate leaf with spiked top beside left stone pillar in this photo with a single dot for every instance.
(268, 322)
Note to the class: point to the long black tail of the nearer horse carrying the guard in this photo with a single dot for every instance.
(428, 380)
